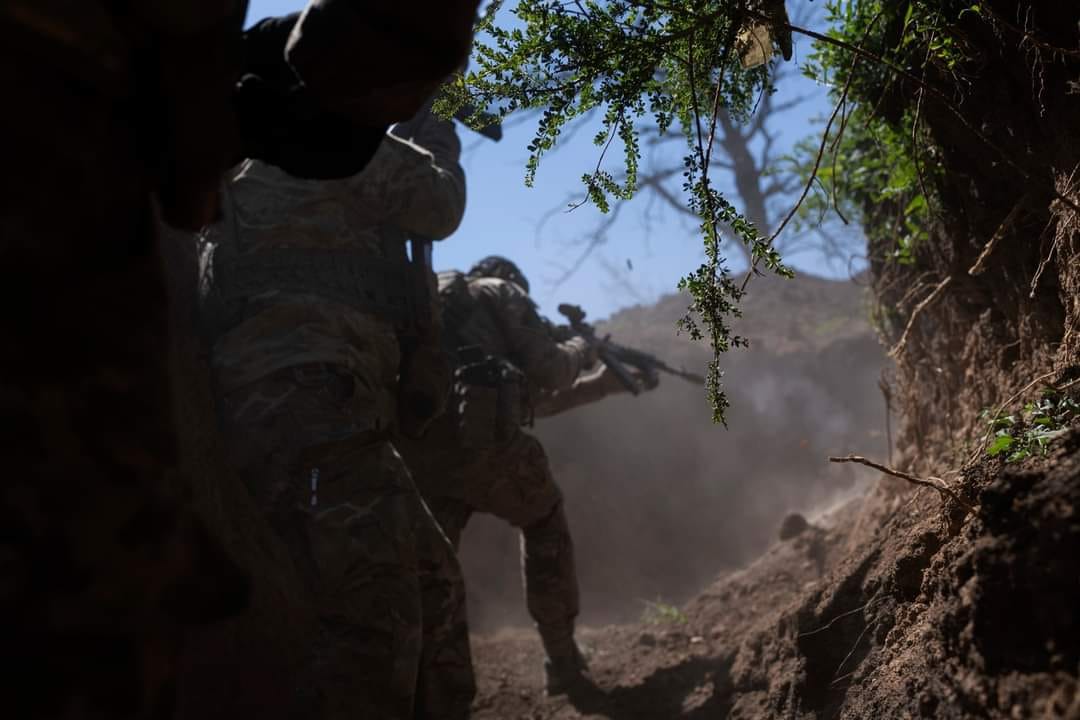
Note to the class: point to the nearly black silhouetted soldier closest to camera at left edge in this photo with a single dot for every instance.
(116, 114)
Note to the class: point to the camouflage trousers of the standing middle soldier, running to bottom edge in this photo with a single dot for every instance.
(391, 641)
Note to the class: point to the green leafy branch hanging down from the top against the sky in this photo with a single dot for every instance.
(642, 66)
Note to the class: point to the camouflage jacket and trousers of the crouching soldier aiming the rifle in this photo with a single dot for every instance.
(510, 478)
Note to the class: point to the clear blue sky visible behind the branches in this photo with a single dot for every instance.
(649, 251)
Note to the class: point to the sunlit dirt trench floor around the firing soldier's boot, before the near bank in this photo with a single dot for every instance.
(670, 665)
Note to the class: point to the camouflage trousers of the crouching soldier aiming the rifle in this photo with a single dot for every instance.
(512, 482)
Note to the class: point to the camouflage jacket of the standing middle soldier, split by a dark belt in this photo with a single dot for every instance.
(408, 189)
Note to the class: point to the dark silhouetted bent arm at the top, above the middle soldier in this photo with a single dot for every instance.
(380, 61)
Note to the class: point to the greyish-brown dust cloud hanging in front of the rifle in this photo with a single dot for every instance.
(660, 500)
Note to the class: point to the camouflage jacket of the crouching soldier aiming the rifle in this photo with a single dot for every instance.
(502, 319)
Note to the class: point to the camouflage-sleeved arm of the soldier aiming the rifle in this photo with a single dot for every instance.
(549, 364)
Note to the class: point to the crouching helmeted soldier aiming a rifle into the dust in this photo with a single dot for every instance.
(510, 363)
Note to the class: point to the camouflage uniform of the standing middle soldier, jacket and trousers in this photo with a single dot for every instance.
(308, 378)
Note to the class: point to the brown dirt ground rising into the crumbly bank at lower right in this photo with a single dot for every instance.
(893, 606)
